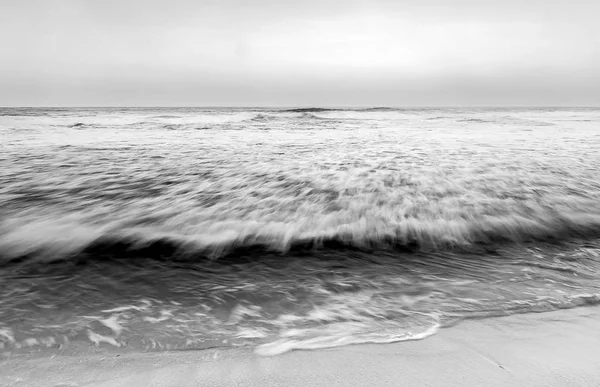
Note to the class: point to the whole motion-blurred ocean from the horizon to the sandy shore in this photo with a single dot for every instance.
(153, 229)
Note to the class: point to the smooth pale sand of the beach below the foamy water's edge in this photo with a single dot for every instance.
(560, 348)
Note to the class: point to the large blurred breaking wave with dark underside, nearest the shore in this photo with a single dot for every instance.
(55, 240)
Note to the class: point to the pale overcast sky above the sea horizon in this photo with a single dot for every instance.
(300, 53)
